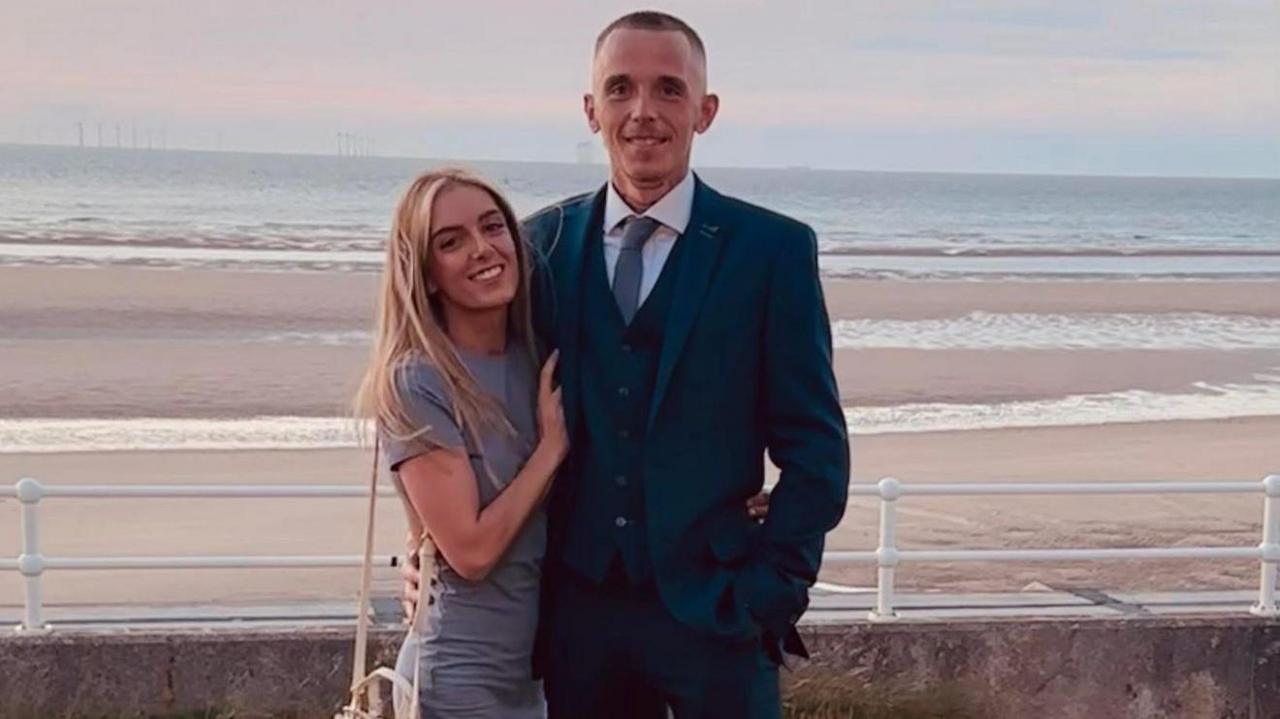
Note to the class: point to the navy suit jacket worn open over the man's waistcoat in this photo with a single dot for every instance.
(746, 369)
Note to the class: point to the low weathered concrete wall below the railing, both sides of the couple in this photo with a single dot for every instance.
(1141, 668)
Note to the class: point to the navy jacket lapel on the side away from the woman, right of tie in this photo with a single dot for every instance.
(706, 237)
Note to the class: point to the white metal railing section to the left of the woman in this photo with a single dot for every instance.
(33, 565)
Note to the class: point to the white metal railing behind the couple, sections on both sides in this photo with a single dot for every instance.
(888, 557)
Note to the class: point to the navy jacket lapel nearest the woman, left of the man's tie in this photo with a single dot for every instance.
(569, 254)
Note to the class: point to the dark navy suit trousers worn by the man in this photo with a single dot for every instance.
(616, 652)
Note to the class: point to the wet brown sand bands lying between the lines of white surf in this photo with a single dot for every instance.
(167, 344)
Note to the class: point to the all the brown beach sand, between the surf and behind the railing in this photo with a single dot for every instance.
(154, 344)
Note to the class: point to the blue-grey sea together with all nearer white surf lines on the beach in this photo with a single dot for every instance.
(275, 213)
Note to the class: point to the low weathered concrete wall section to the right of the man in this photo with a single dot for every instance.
(1141, 668)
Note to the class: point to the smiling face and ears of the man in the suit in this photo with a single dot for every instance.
(648, 100)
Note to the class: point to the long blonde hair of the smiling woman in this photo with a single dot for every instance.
(410, 324)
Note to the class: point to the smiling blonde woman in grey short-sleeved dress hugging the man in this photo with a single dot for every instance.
(473, 437)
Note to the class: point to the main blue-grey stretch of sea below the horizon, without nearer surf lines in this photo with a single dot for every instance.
(182, 209)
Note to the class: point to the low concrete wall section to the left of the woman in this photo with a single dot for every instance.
(254, 674)
